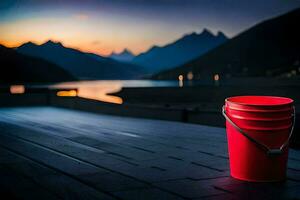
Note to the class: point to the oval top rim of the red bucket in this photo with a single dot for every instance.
(289, 101)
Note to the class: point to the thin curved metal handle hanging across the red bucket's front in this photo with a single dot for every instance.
(269, 151)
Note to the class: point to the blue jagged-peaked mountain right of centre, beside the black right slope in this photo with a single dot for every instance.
(179, 52)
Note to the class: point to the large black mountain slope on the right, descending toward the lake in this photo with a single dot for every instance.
(270, 48)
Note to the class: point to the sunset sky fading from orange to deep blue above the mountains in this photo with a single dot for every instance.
(103, 26)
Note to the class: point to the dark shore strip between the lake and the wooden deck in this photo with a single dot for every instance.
(198, 105)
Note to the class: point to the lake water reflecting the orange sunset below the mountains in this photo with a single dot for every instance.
(103, 90)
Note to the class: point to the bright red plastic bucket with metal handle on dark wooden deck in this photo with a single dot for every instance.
(258, 131)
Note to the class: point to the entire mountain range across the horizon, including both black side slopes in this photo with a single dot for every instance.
(270, 48)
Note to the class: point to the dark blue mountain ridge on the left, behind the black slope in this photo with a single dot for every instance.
(81, 65)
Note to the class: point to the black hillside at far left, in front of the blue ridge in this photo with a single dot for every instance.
(18, 68)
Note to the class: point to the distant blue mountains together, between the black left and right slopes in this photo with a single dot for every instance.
(124, 65)
